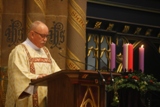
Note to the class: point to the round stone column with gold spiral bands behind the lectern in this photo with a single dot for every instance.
(76, 33)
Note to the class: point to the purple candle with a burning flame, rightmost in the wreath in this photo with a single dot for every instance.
(141, 58)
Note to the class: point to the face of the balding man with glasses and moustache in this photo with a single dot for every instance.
(40, 35)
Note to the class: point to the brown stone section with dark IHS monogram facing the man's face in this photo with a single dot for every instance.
(56, 19)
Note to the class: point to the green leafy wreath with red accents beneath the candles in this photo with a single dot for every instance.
(134, 80)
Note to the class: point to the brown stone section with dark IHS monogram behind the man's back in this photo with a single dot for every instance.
(13, 18)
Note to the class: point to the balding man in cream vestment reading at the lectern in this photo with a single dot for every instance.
(28, 61)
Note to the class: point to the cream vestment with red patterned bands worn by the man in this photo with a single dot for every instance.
(25, 63)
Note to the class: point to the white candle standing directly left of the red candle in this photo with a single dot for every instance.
(125, 57)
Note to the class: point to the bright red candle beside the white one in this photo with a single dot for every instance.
(130, 57)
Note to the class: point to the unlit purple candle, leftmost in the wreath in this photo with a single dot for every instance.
(113, 55)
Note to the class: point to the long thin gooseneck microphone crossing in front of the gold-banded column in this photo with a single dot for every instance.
(101, 76)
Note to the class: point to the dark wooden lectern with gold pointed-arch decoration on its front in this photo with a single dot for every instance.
(75, 88)
